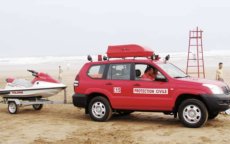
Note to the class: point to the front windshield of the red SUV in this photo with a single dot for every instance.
(172, 70)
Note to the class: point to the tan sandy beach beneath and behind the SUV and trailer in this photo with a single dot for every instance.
(64, 123)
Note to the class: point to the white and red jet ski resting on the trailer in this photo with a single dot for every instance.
(42, 86)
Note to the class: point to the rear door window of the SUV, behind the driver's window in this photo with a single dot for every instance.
(119, 72)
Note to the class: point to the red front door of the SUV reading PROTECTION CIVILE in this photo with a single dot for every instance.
(149, 94)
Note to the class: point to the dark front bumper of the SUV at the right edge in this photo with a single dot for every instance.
(217, 103)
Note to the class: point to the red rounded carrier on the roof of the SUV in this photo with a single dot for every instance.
(131, 50)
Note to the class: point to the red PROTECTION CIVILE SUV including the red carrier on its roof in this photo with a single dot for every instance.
(124, 83)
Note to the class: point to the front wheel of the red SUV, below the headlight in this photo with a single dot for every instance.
(193, 113)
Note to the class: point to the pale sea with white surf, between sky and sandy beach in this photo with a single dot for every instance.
(211, 59)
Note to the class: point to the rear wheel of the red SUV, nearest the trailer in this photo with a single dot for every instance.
(100, 109)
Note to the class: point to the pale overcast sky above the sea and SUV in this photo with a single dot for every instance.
(81, 27)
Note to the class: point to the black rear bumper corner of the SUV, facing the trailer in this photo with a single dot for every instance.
(79, 100)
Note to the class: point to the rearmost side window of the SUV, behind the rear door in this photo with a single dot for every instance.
(96, 71)
